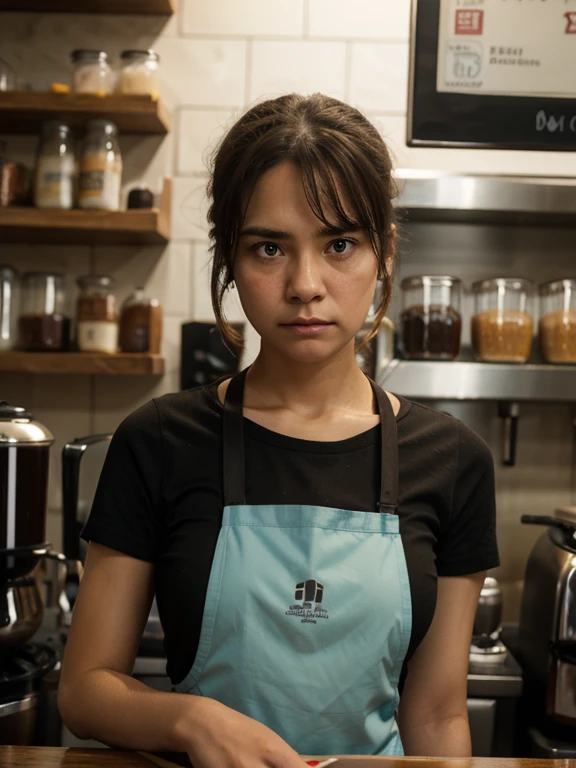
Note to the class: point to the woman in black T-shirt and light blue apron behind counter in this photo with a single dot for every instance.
(314, 542)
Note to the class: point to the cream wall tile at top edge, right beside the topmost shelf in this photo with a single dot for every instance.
(248, 18)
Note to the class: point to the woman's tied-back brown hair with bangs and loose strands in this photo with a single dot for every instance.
(327, 140)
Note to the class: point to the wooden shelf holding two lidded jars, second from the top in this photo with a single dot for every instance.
(25, 111)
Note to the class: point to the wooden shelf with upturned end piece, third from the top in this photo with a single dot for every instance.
(75, 227)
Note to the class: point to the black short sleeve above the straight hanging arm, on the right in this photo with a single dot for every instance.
(468, 543)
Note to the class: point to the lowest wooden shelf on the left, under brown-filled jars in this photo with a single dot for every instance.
(81, 363)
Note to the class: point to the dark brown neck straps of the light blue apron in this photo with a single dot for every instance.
(233, 447)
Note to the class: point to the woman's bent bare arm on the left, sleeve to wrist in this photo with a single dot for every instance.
(97, 696)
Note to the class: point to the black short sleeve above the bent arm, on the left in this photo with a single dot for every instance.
(125, 511)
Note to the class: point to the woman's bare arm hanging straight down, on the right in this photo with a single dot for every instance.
(433, 715)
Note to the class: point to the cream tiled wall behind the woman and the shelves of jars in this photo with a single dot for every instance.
(217, 58)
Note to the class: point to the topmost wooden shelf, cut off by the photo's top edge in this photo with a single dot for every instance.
(143, 7)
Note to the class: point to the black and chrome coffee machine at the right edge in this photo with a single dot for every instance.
(547, 637)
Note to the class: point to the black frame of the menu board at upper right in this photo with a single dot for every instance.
(476, 120)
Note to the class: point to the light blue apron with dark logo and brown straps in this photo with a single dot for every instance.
(308, 612)
